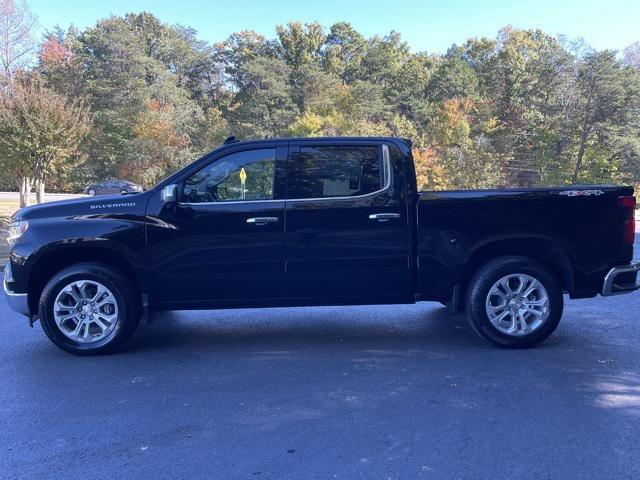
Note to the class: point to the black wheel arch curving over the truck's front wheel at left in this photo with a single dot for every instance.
(55, 260)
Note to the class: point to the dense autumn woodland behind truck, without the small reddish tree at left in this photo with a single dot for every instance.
(523, 108)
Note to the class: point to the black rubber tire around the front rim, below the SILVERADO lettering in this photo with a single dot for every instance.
(124, 292)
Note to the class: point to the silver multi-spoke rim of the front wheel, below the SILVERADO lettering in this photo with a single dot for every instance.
(86, 311)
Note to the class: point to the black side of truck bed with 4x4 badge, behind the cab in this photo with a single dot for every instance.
(580, 224)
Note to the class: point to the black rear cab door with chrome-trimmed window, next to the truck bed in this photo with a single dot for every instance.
(346, 231)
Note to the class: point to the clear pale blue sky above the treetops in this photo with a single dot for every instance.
(426, 25)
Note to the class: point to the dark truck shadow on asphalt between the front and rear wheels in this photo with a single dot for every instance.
(395, 325)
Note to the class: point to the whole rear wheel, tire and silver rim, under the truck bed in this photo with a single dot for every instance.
(514, 302)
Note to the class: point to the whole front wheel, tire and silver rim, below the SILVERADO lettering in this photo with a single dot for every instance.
(89, 309)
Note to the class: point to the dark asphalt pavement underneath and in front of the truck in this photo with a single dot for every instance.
(313, 393)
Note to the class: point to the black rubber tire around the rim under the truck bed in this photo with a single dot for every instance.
(480, 285)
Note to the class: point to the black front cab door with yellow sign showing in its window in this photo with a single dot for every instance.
(223, 243)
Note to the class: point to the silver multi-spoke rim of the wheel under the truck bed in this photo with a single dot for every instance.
(517, 304)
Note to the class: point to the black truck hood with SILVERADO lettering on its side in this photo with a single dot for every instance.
(86, 206)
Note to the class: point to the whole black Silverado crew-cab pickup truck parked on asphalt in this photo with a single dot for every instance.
(316, 221)
